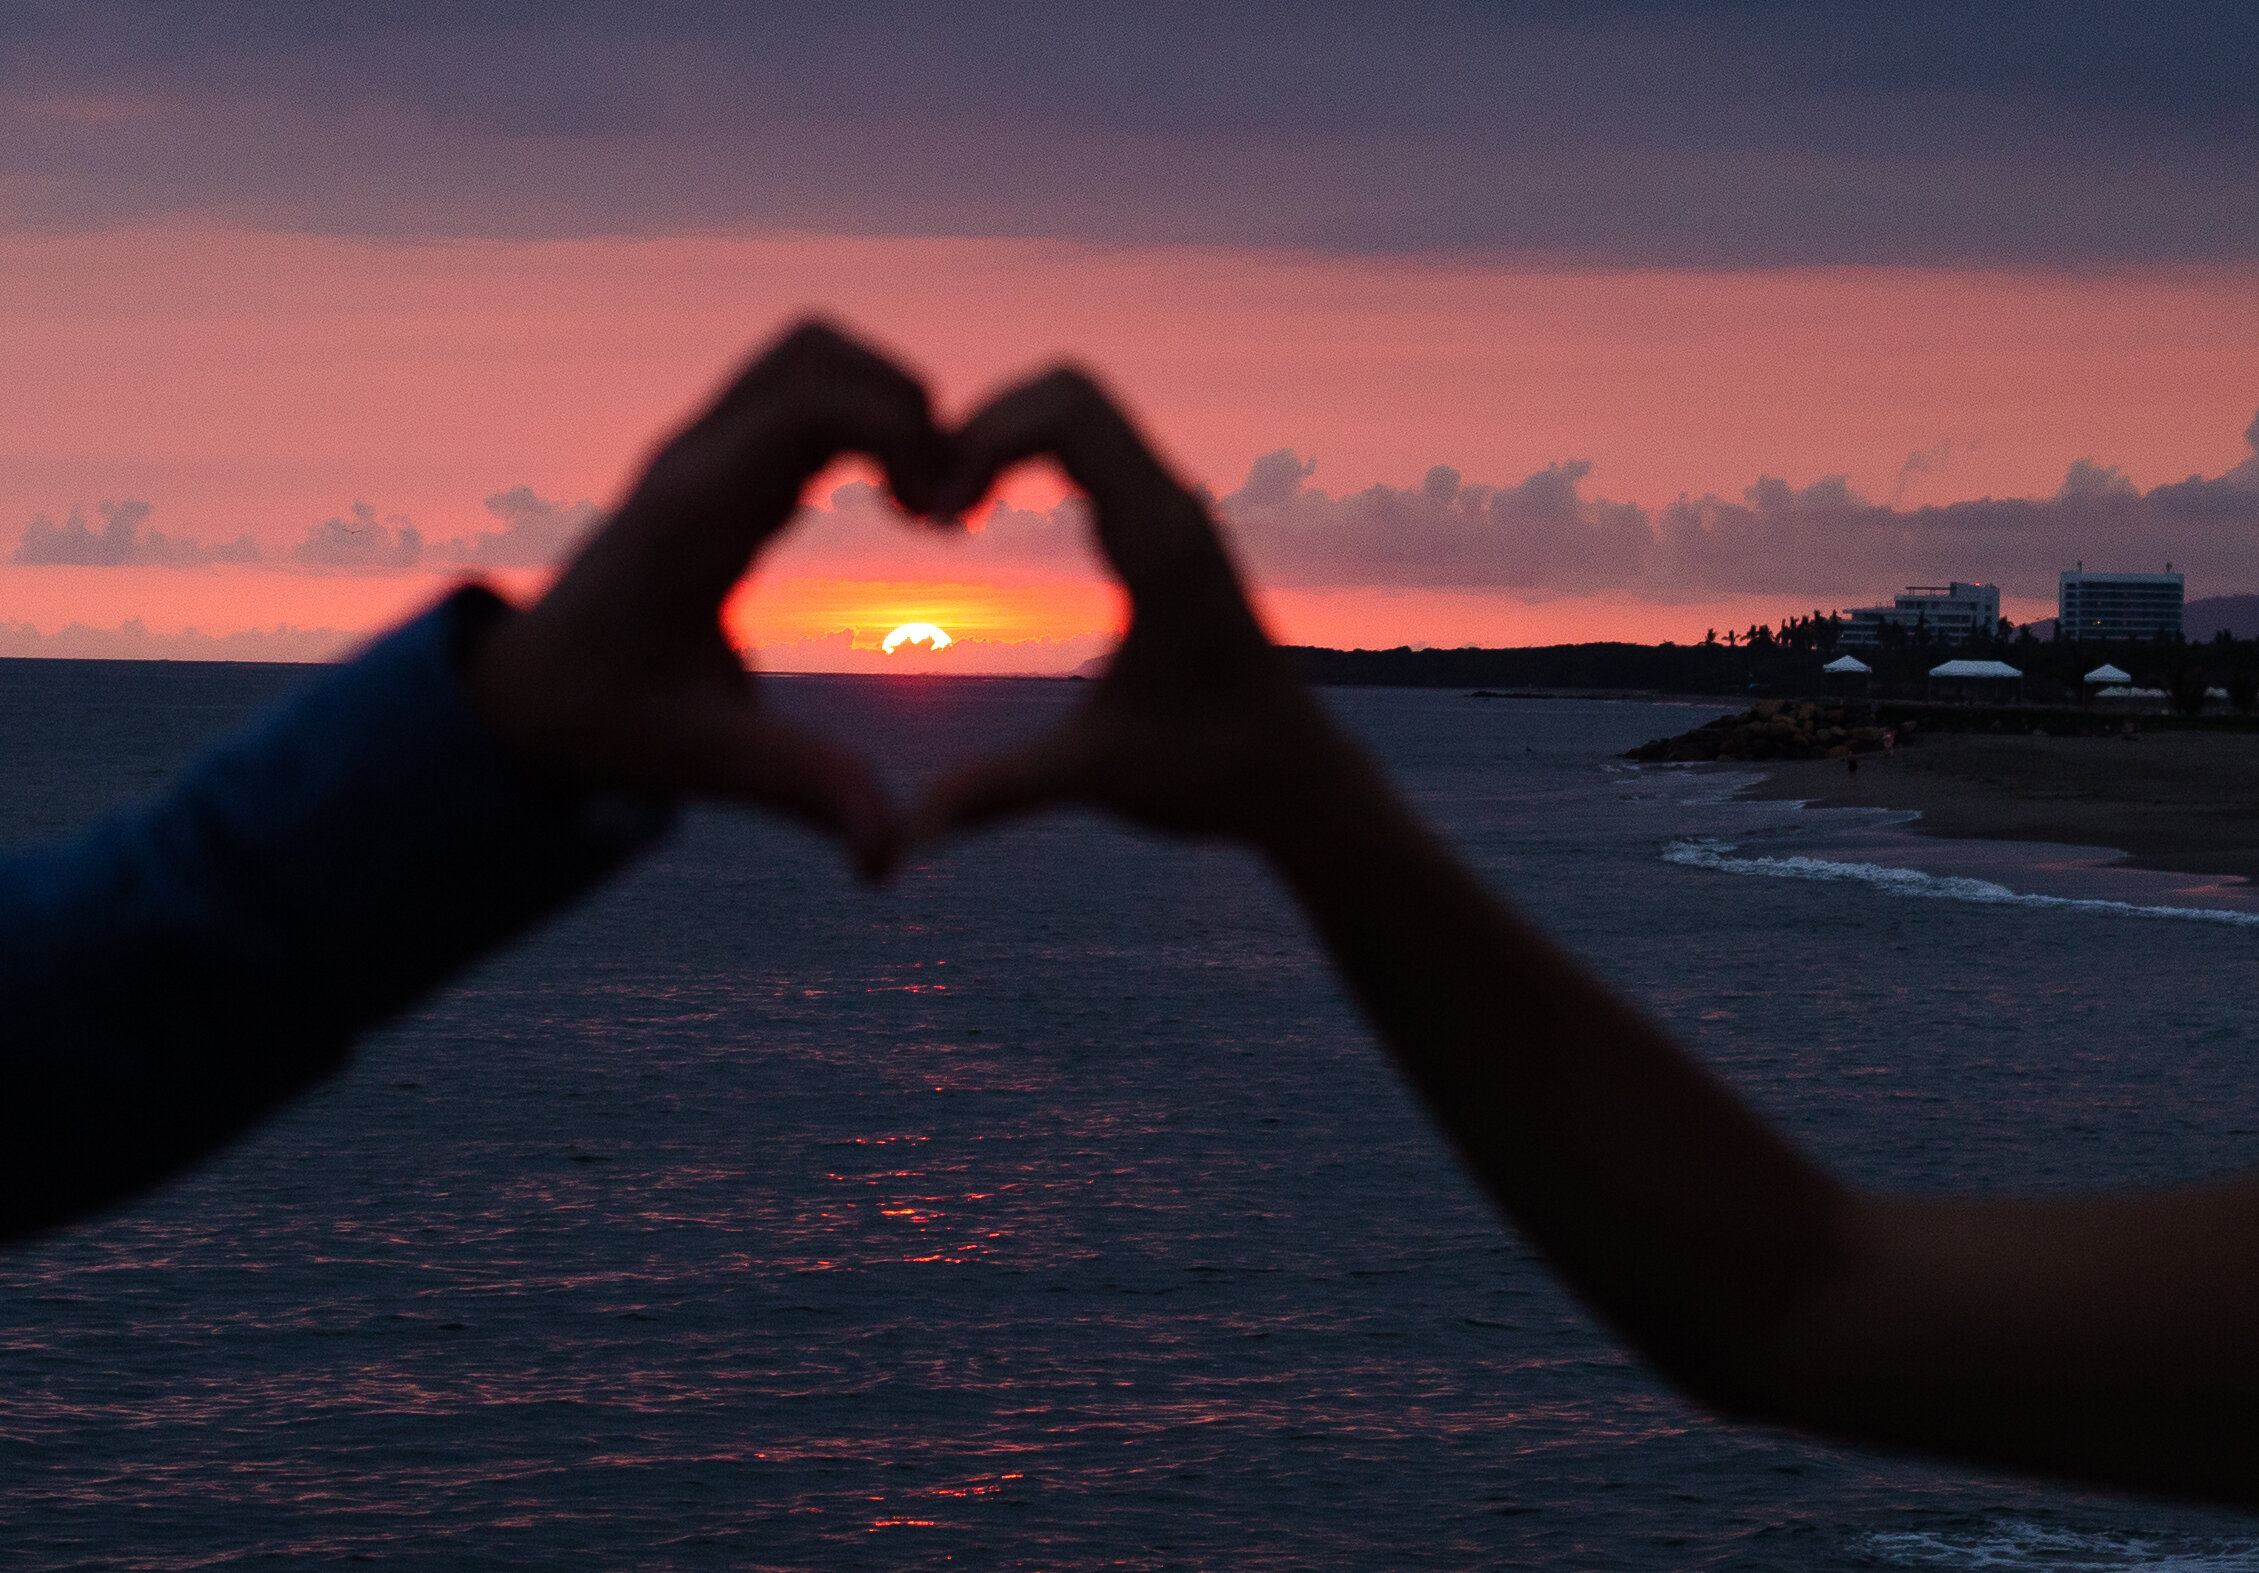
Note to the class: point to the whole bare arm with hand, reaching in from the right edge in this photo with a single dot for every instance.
(2104, 1339)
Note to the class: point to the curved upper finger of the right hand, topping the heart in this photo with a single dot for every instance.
(1153, 530)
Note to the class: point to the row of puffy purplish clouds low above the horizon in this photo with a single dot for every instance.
(1540, 537)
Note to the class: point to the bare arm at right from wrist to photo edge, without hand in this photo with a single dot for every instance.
(2100, 1337)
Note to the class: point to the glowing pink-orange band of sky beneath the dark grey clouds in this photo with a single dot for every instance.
(263, 383)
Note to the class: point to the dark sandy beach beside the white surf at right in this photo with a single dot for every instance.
(2181, 801)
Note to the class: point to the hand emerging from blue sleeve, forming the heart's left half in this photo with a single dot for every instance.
(622, 677)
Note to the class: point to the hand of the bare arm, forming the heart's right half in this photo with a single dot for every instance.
(1198, 724)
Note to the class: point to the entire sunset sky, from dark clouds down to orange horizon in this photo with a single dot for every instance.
(1483, 324)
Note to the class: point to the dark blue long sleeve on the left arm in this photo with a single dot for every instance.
(186, 966)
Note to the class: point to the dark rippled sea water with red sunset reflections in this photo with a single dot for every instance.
(1049, 1208)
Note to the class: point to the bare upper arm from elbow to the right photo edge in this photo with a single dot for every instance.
(2100, 1337)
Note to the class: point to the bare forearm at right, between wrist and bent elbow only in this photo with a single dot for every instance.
(1666, 1203)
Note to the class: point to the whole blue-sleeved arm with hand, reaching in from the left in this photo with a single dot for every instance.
(184, 968)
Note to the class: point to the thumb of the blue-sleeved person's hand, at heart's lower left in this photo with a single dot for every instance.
(796, 772)
